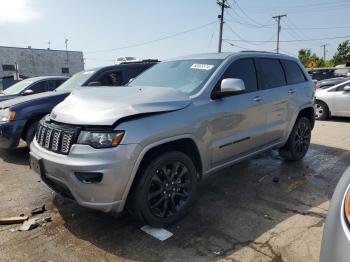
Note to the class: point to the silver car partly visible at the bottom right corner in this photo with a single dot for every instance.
(336, 233)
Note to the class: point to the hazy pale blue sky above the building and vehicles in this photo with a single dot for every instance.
(107, 29)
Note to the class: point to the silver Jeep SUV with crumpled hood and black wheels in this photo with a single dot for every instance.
(146, 145)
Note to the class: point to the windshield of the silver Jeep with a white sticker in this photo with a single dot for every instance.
(187, 76)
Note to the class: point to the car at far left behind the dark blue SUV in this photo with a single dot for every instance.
(32, 86)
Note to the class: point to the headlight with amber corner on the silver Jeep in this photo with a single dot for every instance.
(100, 139)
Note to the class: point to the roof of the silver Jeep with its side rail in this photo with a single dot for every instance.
(225, 55)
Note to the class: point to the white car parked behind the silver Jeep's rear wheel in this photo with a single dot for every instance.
(333, 101)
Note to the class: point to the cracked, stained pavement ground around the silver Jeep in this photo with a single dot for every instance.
(240, 214)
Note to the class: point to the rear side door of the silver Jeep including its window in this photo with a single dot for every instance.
(275, 94)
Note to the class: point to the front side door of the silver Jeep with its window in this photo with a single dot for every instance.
(237, 127)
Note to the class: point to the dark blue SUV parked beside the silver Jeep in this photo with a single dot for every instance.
(19, 117)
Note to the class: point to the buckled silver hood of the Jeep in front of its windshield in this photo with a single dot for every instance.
(106, 105)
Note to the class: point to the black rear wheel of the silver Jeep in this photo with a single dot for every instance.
(298, 142)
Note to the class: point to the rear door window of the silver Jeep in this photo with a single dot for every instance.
(271, 73)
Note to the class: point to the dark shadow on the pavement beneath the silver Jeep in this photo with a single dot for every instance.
(233, 208)
